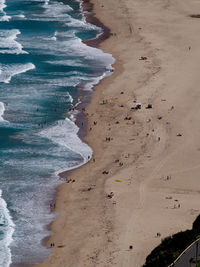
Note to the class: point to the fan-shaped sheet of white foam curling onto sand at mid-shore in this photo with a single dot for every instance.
(64, 133)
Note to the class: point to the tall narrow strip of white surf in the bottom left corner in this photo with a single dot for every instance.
(7, 226)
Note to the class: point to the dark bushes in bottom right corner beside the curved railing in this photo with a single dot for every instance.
(171, 247)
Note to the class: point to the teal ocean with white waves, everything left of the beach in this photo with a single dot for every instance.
(44, 69)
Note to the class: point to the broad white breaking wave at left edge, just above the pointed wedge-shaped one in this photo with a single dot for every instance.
(8, 43)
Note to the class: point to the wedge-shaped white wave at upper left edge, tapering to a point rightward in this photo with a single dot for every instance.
(8, 71)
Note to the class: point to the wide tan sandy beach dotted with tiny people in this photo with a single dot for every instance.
(160, 170)
